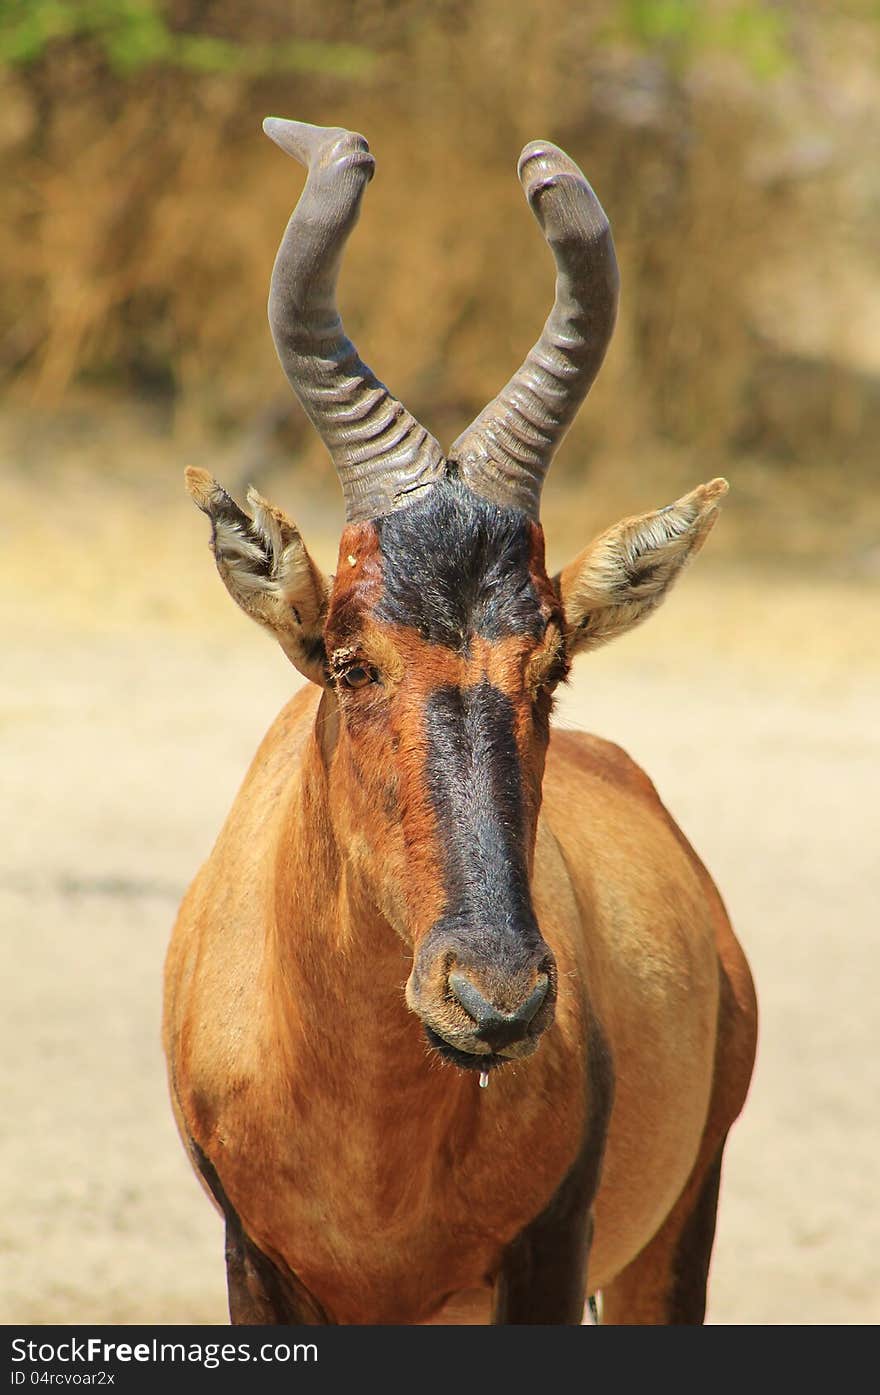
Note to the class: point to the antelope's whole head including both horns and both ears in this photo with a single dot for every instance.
(441, 638)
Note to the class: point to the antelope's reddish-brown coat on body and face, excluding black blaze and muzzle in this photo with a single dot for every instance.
(351, 1154)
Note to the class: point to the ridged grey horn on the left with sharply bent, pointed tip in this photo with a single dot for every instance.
(380, 451)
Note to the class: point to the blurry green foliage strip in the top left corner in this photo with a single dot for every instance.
(135, 36)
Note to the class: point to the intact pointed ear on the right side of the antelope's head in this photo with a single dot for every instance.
(628, 571)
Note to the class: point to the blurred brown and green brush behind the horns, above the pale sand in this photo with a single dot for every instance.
(729, 143)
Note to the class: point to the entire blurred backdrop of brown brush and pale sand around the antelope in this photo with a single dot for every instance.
(733, 144)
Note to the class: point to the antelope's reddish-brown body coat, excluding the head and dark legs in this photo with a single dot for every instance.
(351, 1156)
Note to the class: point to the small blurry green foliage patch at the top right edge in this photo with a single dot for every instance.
(751, 30)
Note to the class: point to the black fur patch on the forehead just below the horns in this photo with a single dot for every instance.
(455, 566)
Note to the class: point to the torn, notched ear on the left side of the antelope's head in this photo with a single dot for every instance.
(267, 570)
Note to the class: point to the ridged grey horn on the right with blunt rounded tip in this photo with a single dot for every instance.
(507, 453)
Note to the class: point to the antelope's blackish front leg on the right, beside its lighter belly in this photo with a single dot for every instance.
(543, 1277)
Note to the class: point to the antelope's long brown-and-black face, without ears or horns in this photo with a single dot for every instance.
(437, 715)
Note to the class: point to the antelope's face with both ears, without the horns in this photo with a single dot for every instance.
(439, 647)
